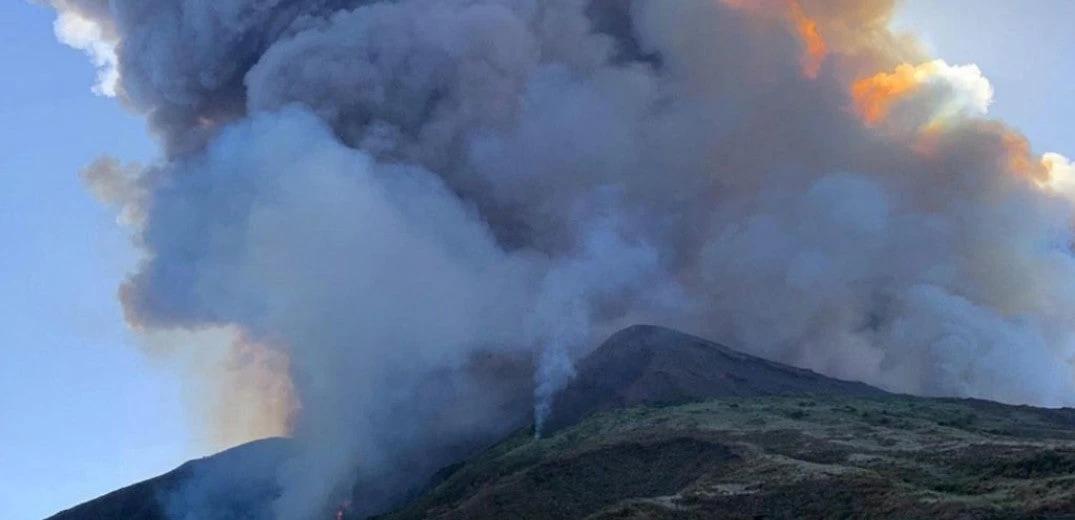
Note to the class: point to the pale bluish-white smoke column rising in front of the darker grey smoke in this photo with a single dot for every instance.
(399, 263)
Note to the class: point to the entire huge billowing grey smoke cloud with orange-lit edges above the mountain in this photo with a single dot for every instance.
(434, 207)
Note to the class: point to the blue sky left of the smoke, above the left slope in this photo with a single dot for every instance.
(82, 411)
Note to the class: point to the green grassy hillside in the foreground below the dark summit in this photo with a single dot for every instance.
(795, 458)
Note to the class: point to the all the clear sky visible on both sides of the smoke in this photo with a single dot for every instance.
(83, 412)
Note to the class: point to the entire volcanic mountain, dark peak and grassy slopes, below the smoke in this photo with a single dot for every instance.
(663, 425)
